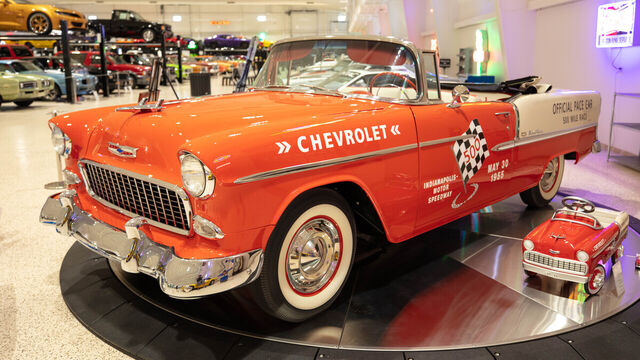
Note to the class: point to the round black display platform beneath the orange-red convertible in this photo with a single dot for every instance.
(129, 312)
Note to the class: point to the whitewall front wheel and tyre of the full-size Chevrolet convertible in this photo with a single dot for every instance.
(308, 258)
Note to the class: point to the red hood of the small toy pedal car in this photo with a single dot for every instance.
(563, 236)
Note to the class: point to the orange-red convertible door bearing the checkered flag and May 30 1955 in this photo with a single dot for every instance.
(459, 173)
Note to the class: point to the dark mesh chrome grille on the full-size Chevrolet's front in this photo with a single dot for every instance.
(163, 204)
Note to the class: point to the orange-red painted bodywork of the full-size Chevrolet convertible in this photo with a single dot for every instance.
(240, 135)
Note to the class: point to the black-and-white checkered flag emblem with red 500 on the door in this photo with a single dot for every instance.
(471, 152)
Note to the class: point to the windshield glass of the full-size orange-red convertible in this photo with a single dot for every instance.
(342, 67)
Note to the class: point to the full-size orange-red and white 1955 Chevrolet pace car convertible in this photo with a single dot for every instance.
(269, 188)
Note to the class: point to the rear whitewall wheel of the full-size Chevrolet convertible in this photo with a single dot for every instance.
(541, 194)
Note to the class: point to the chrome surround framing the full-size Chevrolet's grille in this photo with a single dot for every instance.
(179, 191)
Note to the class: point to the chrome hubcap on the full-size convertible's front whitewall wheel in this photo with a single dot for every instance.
(313, 256)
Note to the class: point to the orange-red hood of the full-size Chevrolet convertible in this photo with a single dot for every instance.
(214, 128)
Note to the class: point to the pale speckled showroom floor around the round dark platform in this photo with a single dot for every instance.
(35, 322)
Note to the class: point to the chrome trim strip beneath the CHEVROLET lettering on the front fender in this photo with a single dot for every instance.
(320, 164)
